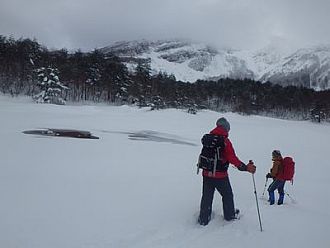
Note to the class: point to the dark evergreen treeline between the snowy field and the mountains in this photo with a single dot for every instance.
(94, 76)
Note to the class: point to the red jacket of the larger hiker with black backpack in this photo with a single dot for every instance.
(228, 155)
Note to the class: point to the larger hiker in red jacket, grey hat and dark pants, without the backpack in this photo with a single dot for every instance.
(220, 180)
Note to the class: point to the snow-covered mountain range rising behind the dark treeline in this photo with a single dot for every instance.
(190, 61)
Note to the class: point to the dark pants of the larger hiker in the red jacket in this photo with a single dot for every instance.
(224, 188)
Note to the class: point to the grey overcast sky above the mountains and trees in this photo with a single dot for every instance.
(89, 24)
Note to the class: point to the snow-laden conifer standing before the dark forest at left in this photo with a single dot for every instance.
(50, 85)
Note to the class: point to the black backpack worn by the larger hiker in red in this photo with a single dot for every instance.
(210, 158)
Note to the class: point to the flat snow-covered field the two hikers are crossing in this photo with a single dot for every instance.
(137, 186)
